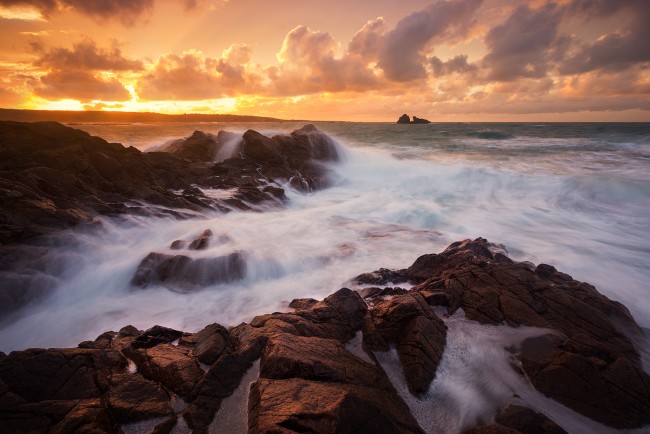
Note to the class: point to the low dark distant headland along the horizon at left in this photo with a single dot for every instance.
(118, 117)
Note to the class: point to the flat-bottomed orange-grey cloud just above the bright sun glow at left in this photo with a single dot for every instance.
(80, 85)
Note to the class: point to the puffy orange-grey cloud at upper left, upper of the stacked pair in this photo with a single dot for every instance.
(86, 55)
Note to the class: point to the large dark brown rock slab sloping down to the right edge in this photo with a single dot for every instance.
(593, 369)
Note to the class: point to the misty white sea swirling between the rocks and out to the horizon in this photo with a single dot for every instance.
(576, 196)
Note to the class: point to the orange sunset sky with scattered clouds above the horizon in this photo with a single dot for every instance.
(444, 60)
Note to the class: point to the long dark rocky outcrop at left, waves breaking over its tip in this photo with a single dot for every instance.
(53, 177)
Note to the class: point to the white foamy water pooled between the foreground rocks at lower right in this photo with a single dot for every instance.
(476, 379)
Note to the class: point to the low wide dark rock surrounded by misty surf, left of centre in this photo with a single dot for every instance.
(180, 272)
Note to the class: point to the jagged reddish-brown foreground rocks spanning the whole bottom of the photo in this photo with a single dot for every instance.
(317, 366)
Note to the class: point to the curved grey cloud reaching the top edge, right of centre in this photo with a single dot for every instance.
(402, 54)
